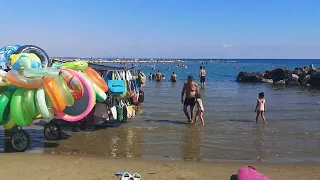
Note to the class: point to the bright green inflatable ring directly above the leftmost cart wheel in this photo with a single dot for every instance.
(17, 113)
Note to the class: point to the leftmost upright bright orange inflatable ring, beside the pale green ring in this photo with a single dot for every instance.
(52, 88)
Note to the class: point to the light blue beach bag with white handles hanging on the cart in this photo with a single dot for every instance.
(116, 85)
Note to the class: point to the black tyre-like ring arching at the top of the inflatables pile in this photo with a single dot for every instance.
(45, 61)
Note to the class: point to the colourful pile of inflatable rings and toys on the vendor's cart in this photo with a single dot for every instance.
(33, 88)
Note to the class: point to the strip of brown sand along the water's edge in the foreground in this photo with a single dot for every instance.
(40, 167)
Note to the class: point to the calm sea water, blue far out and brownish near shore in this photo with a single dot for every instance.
(292, 132)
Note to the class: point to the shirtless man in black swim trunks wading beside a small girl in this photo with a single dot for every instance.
(190, 88)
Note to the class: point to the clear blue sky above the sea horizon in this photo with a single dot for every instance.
(165, 28)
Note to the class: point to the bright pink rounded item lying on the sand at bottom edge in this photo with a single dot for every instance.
(250, 173)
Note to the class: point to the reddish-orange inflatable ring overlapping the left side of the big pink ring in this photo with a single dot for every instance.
(73, 83)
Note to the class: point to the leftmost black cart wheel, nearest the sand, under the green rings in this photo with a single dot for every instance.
(20, 141)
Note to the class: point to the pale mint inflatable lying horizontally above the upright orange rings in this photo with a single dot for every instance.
(39, 72)
